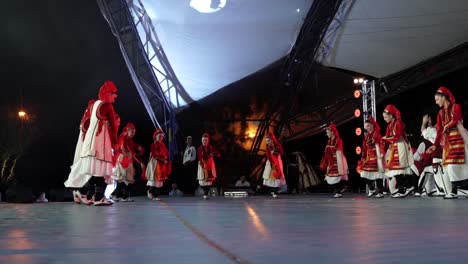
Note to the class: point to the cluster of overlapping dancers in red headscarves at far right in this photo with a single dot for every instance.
(437, 167)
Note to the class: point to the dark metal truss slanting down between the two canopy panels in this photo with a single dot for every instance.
(295, 70)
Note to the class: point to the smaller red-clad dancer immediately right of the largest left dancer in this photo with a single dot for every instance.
(126, 153)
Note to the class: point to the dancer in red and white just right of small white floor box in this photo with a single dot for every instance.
(273, 175)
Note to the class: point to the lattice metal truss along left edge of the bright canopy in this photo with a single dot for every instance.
(135, 52)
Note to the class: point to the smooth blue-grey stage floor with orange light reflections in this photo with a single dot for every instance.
(292, 229)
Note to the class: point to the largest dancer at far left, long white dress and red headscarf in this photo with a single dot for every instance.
(92, 167)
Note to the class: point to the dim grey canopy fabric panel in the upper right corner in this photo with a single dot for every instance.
(381, 37)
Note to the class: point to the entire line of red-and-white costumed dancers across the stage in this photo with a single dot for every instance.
(437, 166)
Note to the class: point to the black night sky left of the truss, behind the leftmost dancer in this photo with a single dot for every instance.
(59, 53)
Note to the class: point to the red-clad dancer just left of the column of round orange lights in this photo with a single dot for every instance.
(334, 161)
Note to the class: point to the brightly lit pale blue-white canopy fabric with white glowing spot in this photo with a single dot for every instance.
(211, 44)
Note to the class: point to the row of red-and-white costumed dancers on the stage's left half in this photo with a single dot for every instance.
(102, 158)
